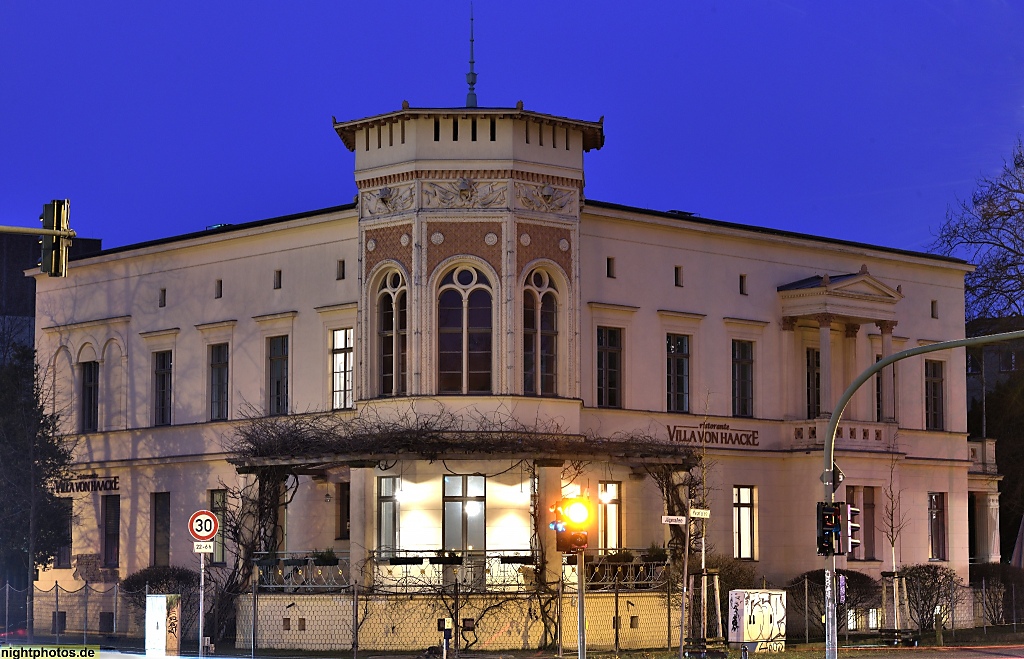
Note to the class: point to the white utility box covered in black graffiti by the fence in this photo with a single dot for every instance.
(757, 621)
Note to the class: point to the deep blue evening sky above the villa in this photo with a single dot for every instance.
(861, 120)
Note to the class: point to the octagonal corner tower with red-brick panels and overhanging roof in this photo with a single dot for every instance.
(488, 196)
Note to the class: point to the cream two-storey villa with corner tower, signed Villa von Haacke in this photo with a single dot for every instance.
(473, 281)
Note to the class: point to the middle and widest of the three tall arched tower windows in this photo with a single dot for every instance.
(464, 333)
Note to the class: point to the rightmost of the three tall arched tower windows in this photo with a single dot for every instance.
(540, 335)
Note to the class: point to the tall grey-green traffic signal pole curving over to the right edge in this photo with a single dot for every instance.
(830, 451)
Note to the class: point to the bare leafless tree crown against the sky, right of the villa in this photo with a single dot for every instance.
(989, 231)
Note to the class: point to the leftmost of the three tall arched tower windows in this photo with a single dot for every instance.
(392, 334)
